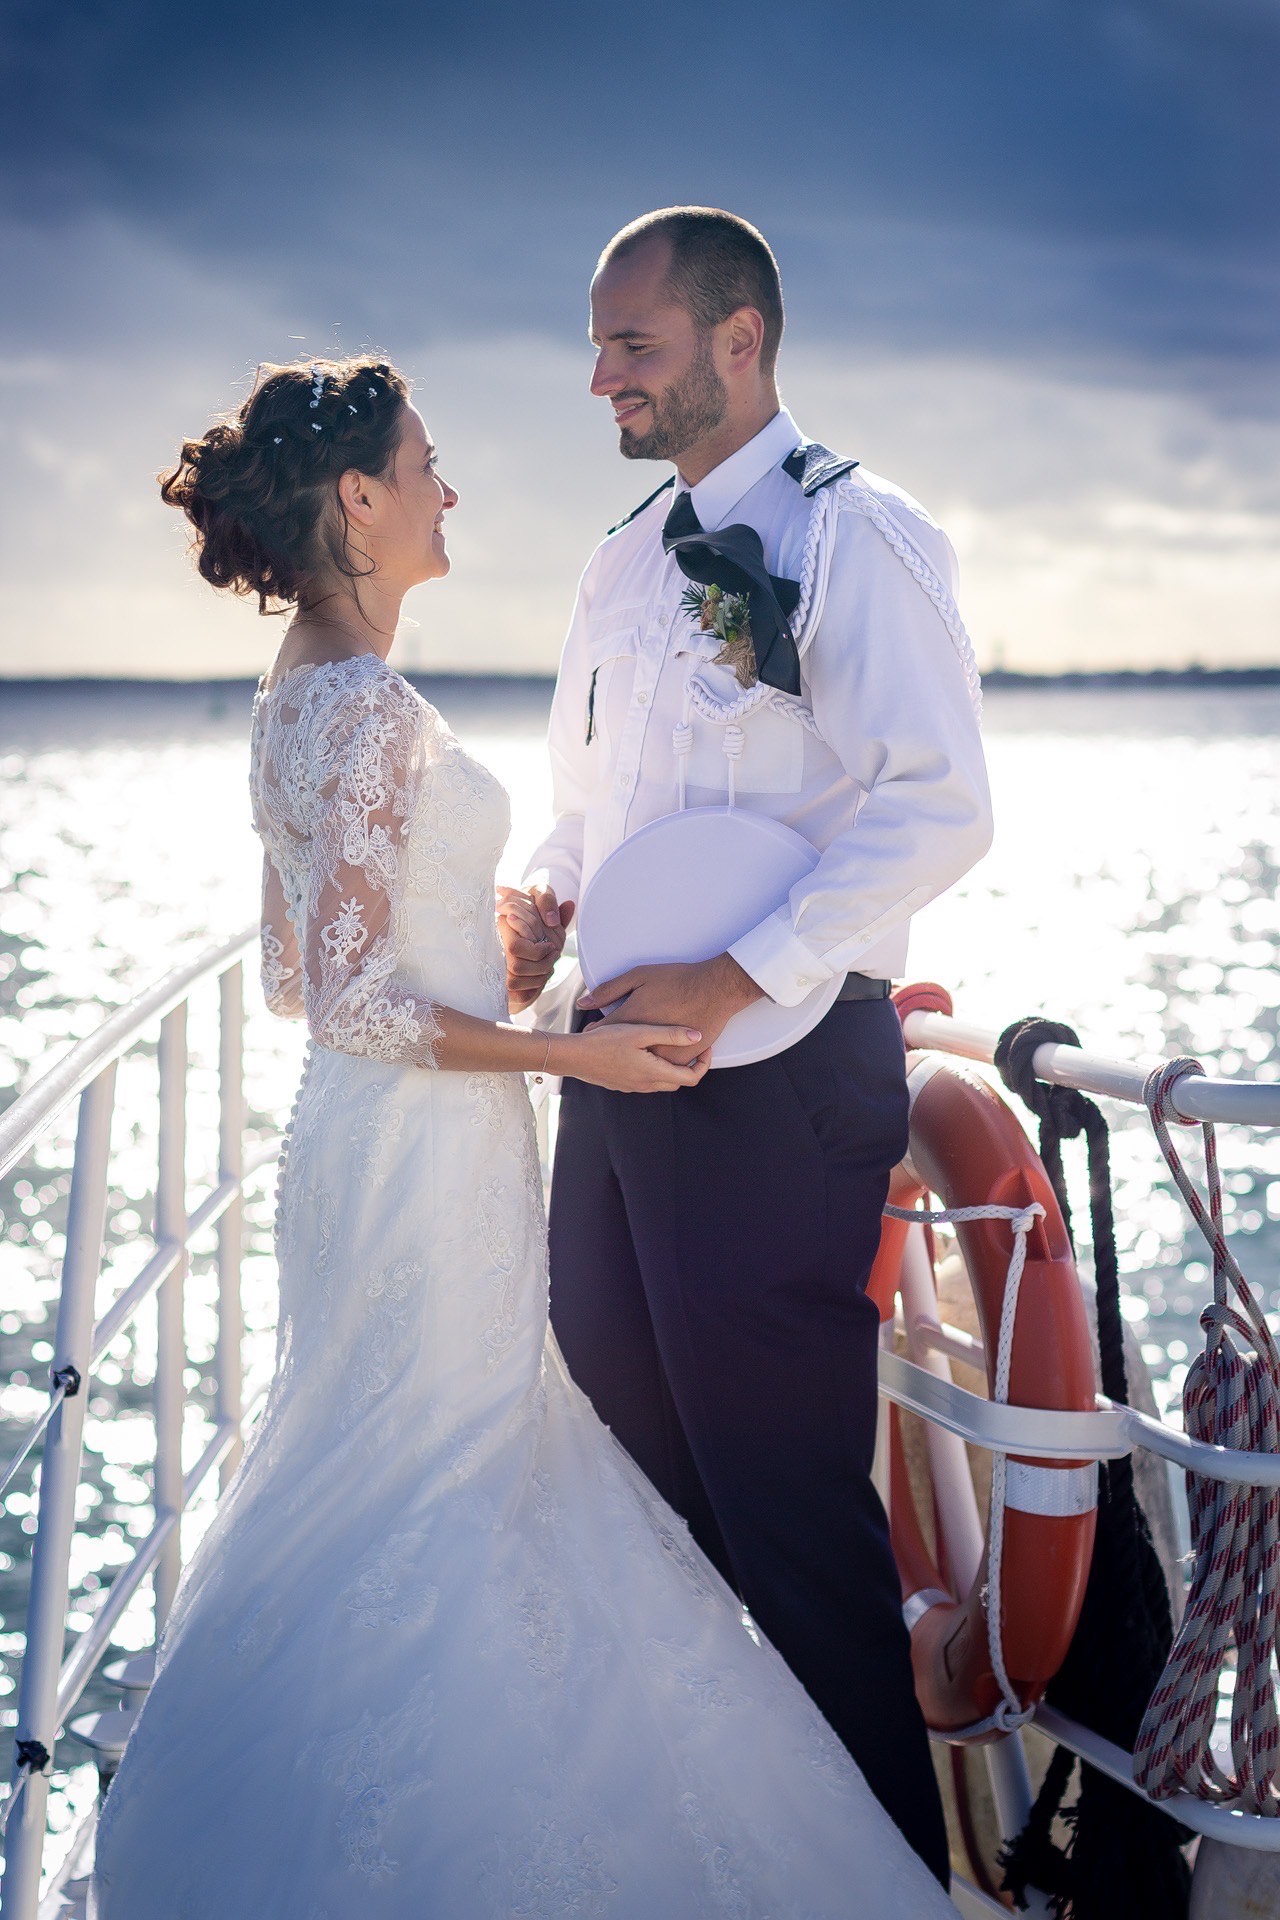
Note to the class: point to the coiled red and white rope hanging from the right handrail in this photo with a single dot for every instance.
(1229, 1401)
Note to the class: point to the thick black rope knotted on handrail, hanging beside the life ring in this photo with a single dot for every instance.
(1124, 1856)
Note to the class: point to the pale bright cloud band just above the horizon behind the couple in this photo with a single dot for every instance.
(1097, 523)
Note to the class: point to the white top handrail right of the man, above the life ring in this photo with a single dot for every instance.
(1195, 1099)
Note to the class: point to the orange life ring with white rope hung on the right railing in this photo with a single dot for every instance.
(968, 1149)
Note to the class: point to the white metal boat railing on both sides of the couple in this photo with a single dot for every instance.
(918, 1381)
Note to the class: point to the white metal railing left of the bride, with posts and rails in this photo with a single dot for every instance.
(51, 1683)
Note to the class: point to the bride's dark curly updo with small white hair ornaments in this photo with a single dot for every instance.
(262, 487)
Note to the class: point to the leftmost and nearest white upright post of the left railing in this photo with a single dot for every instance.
(60, 1474)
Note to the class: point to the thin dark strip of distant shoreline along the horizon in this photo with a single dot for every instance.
(997, 679)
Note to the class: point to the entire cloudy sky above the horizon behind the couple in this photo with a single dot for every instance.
(1030, 252)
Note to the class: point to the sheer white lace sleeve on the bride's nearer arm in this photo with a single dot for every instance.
(371, 767)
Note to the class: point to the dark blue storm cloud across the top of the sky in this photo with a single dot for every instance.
(1074, 172)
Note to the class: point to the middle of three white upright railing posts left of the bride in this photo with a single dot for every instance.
(170, 1343)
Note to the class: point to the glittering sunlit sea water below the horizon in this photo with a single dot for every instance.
(1131, 892)
